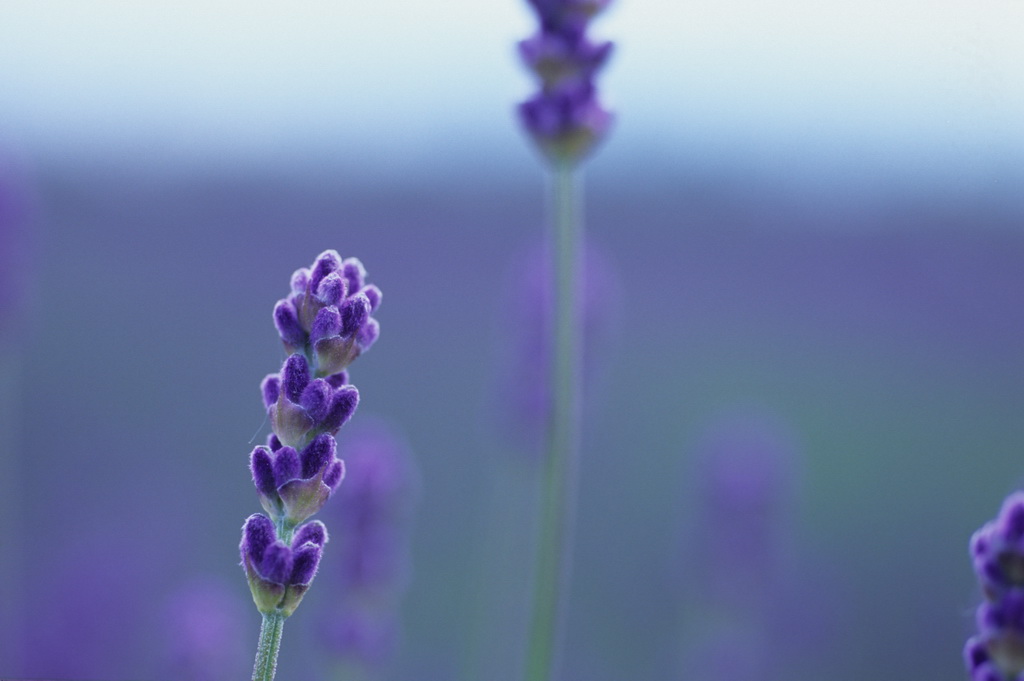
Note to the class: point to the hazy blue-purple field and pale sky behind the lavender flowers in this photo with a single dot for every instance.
(814, 211)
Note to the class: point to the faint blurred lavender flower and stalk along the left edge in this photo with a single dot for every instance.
(14, 271)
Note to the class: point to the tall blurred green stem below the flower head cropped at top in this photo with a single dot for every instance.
(561, 463)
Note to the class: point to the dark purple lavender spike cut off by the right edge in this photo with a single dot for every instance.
(997, 653)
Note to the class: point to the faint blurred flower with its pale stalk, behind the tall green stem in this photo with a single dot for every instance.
(522, 410)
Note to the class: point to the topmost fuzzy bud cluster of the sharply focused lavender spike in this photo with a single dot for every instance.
(327, 316)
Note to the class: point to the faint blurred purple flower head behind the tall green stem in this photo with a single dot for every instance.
(524, 393)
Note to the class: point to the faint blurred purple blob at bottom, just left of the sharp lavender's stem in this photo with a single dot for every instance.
(205, 630)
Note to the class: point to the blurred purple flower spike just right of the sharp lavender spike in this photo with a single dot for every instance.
(372, 521)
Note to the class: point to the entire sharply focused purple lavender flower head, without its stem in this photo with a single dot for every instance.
(325, 324)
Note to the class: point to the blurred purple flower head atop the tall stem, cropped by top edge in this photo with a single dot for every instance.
(566, 118)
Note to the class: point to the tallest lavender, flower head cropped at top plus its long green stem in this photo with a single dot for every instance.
(566, 121)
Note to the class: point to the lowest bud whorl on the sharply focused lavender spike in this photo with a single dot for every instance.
(280, 574)
